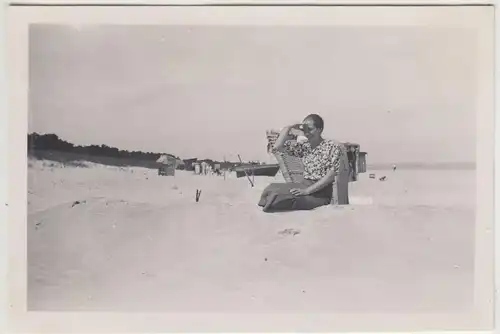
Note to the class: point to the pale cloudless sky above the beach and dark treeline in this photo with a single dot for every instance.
(405, 94)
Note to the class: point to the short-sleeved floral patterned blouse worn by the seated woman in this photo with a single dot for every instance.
(320, 160)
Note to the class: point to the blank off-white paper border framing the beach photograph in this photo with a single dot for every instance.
(480, 18)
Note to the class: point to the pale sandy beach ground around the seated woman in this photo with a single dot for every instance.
(125, 239)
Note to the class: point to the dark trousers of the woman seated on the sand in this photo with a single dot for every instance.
(277, 197)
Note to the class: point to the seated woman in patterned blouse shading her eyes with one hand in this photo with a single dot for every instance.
(322, 161)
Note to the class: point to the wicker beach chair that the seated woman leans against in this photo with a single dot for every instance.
(292, 169)
